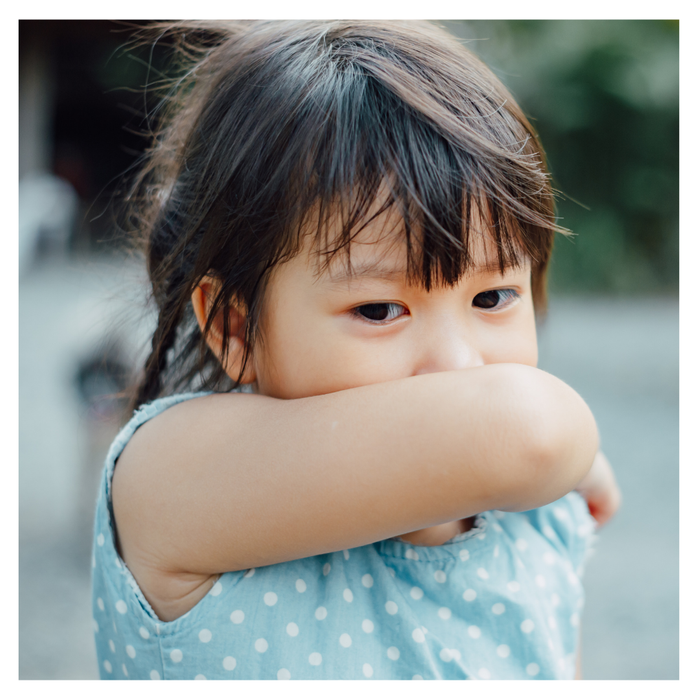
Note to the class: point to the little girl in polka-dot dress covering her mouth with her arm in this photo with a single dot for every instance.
(347, 229)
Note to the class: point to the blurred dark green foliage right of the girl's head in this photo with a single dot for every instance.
(603, 96)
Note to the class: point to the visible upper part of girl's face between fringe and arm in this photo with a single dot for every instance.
(328, 331)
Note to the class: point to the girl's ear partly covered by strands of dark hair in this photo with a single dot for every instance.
(202, 302)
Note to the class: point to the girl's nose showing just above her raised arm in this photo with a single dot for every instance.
(448, 347)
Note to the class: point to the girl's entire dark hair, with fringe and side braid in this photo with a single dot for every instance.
(278, 128)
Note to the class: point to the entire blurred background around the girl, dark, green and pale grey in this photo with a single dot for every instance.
(603, 96)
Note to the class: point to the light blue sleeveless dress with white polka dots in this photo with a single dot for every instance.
(502, 601)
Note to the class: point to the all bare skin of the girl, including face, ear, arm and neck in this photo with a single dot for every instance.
(439, 404)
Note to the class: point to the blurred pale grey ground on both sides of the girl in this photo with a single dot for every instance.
(621, 356)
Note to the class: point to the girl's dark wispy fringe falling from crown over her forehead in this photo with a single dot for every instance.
(453, 173)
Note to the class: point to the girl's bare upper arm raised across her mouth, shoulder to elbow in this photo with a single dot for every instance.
(227, 482)
